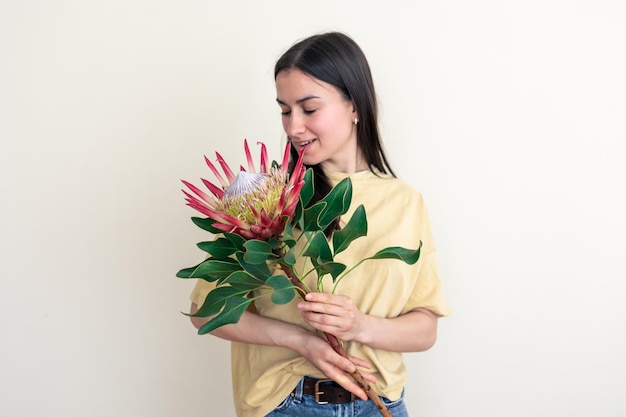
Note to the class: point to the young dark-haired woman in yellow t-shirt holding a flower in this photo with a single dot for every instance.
(328, 104)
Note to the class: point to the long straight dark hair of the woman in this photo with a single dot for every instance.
(336, 59)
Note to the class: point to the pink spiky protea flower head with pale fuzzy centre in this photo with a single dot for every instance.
(255, 205)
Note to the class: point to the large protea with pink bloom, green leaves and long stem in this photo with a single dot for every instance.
(258, 218)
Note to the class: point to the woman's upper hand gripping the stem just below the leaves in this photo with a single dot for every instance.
(334, 314)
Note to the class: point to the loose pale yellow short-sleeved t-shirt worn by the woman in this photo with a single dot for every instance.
(264, 375)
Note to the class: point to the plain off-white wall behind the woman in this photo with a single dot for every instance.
(508, 116)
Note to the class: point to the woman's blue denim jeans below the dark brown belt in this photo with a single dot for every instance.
(299, 405)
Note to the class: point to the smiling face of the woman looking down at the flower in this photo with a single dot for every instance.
(315, 114)
